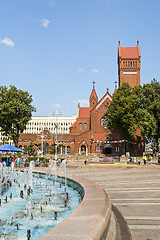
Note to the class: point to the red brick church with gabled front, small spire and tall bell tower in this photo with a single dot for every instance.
(89, 134)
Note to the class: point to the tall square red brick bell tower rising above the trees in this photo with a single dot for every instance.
(129, 65)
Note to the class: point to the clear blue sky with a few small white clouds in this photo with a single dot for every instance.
(55, 49)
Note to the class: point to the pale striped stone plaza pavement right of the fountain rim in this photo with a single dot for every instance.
(134, 190)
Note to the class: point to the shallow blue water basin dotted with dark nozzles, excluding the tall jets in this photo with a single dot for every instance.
(39, 211)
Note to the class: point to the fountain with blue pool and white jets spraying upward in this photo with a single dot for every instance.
(33, 203)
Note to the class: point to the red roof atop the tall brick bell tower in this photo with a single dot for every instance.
(129, 52)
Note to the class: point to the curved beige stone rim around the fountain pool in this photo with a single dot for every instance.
(93, 219)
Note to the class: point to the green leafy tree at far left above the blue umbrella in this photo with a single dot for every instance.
(16, 110)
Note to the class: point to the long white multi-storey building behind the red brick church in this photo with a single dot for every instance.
(37, 124)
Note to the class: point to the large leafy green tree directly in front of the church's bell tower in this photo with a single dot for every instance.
(126, 114)
